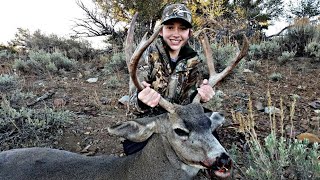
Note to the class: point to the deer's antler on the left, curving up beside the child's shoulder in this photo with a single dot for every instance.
(135, 60)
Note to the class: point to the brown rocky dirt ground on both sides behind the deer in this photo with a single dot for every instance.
(96, 104)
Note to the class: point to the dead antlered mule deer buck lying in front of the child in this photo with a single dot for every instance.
(182, 143)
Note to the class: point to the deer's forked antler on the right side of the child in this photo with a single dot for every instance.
(216, 77)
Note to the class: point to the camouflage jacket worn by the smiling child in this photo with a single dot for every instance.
(175, 81)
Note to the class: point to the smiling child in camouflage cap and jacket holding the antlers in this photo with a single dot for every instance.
(173, 70)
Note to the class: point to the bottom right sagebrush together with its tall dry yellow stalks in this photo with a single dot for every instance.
(274, 157)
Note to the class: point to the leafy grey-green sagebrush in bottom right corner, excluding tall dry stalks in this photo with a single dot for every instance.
(279, 158)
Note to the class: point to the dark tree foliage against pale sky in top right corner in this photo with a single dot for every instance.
(304, 8)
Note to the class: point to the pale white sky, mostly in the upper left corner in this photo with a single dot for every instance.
(51, 17)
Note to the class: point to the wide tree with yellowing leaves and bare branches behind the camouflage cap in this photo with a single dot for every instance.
(107, 15)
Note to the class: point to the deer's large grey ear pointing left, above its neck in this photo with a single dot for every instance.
(133, 130)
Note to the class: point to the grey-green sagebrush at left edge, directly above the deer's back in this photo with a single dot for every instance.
(25, 127)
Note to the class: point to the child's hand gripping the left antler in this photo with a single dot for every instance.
(148, 95)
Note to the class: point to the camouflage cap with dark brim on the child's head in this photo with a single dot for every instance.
(176, 11)
